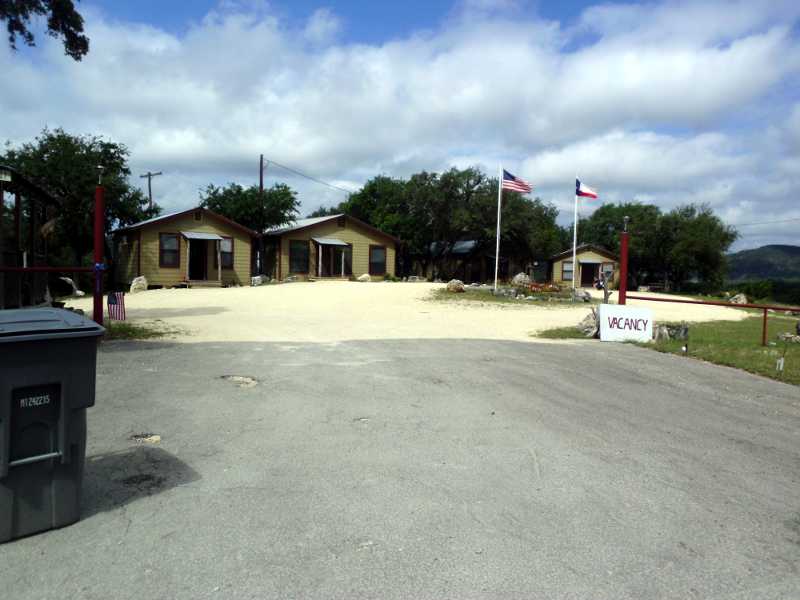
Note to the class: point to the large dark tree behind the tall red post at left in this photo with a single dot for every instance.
(67, 166)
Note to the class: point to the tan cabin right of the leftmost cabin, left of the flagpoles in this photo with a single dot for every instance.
(335, 246)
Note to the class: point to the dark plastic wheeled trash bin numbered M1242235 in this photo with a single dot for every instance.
(47, 379)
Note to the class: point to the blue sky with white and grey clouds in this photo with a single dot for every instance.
(664, 102)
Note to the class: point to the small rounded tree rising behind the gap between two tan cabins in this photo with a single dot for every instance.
(277, 206)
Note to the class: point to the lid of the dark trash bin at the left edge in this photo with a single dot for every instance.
(28, 324)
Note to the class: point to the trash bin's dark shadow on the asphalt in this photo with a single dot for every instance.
(118, 478)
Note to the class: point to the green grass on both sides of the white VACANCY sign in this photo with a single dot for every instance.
(731, 343)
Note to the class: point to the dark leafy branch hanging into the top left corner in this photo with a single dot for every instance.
(62, 21)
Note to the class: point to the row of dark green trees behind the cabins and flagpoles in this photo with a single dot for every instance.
(429, 212)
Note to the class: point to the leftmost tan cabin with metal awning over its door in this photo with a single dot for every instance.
(196, 248)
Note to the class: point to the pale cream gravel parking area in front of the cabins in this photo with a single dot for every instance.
(333, 311)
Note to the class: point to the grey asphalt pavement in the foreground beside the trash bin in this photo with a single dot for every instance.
(426, 469)
